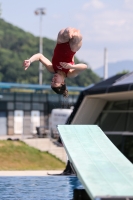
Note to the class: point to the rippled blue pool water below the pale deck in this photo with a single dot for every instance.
(38, 188)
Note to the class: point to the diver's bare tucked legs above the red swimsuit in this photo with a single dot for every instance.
(73, 36)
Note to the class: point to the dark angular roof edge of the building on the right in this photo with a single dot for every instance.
(117, 83)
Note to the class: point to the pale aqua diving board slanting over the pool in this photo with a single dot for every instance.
(103, 170)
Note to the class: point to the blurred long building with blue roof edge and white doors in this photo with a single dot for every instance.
(23, 107)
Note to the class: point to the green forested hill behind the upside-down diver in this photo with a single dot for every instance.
(17, 45)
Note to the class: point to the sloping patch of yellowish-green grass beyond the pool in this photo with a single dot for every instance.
(16, 155)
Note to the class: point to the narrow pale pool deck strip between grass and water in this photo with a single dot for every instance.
(29, 173)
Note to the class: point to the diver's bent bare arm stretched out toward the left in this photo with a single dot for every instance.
(42, 59)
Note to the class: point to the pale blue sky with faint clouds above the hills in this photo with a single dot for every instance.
(103, 24)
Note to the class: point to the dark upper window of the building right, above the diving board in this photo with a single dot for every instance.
(117, 116)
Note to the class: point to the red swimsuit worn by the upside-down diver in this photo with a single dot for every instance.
(62, 53)
